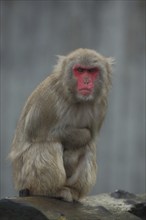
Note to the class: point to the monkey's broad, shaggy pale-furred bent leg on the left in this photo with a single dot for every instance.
(40, 169)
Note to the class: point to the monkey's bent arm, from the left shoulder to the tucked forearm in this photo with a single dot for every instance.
(41, 123)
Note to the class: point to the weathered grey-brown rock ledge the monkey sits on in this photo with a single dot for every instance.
(119, 205)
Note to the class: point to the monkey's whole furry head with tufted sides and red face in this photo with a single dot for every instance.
(85, 74)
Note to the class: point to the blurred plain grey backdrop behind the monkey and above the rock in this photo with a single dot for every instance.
(34, 32)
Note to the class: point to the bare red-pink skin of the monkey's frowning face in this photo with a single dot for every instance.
(86, 77)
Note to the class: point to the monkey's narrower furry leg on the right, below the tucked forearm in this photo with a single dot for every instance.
(84, 178)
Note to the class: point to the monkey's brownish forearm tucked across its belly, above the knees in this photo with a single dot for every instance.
(73, 138)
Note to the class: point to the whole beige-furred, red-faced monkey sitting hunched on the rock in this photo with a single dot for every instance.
(54, 148)
